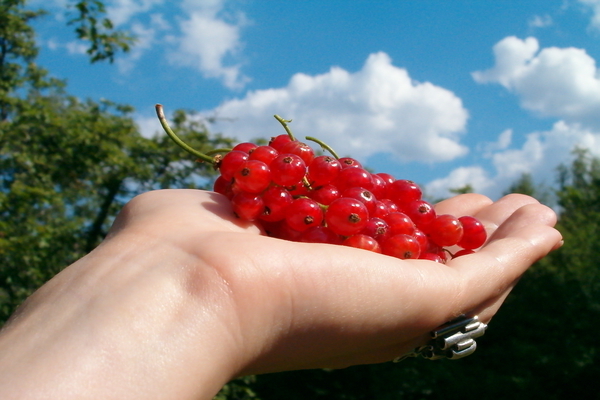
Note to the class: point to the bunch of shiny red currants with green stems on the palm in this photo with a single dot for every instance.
(298, 195)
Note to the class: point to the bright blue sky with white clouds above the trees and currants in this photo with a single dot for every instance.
(445, 93)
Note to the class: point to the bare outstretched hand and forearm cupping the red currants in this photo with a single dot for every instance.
(182, 297)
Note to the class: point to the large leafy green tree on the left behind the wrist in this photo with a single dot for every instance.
(67, 165)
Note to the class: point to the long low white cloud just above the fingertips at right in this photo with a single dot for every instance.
(540, 155)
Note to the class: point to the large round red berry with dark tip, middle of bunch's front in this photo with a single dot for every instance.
(346, 216)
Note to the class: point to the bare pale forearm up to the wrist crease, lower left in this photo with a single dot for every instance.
(152, 336)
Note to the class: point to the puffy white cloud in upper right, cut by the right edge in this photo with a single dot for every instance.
(556, 82)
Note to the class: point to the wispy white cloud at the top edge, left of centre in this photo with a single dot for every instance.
(210, 38)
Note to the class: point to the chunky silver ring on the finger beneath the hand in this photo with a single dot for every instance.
(453, 340)
